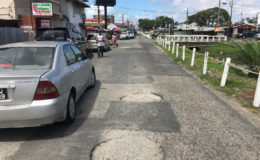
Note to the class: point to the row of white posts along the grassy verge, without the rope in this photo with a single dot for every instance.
(175, 48)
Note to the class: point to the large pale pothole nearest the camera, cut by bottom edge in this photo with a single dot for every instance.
(128, 147)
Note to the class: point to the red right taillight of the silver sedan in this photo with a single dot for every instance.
(46, 90)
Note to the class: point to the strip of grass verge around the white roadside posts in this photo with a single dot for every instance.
(238, 85)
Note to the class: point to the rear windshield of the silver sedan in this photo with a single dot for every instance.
(33, 58)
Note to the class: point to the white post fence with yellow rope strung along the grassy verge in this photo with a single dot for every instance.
(164, 43)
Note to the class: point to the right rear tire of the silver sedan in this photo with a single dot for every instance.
(71, 109)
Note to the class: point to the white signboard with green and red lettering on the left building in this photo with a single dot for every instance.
(42, 9)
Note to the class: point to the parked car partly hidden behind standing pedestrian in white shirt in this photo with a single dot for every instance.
(92, 43)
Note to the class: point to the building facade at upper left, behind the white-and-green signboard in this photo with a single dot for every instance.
(65, 13)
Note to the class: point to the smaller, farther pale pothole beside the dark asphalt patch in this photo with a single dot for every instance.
(149, 97)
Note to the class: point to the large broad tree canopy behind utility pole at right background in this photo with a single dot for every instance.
(209, 17)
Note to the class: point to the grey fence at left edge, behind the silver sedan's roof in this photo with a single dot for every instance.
(12, 35)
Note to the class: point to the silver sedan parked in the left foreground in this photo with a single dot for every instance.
(42, 83)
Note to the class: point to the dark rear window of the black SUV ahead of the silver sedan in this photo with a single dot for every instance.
(51, 35)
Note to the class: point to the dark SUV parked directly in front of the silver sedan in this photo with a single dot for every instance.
(63, 35)
